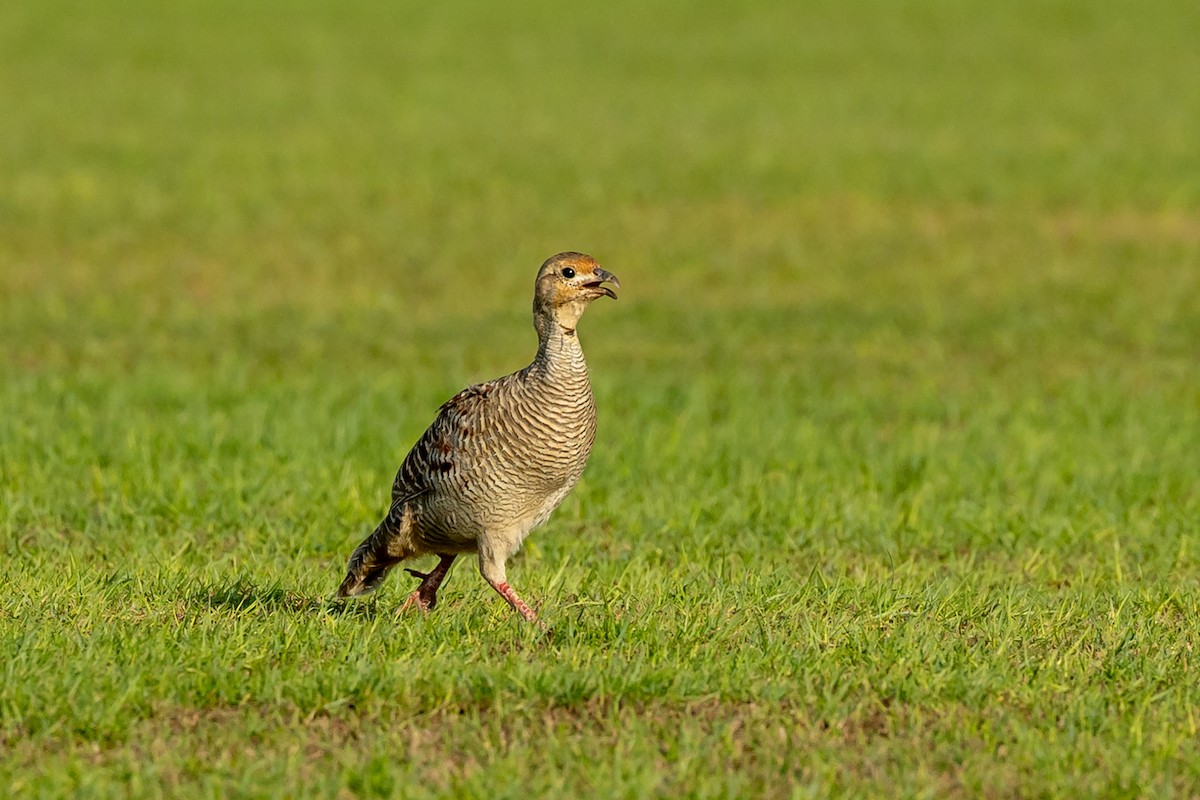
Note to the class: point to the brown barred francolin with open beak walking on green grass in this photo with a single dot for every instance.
(500, 458)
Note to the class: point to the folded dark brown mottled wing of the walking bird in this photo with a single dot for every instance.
(442, 448)
